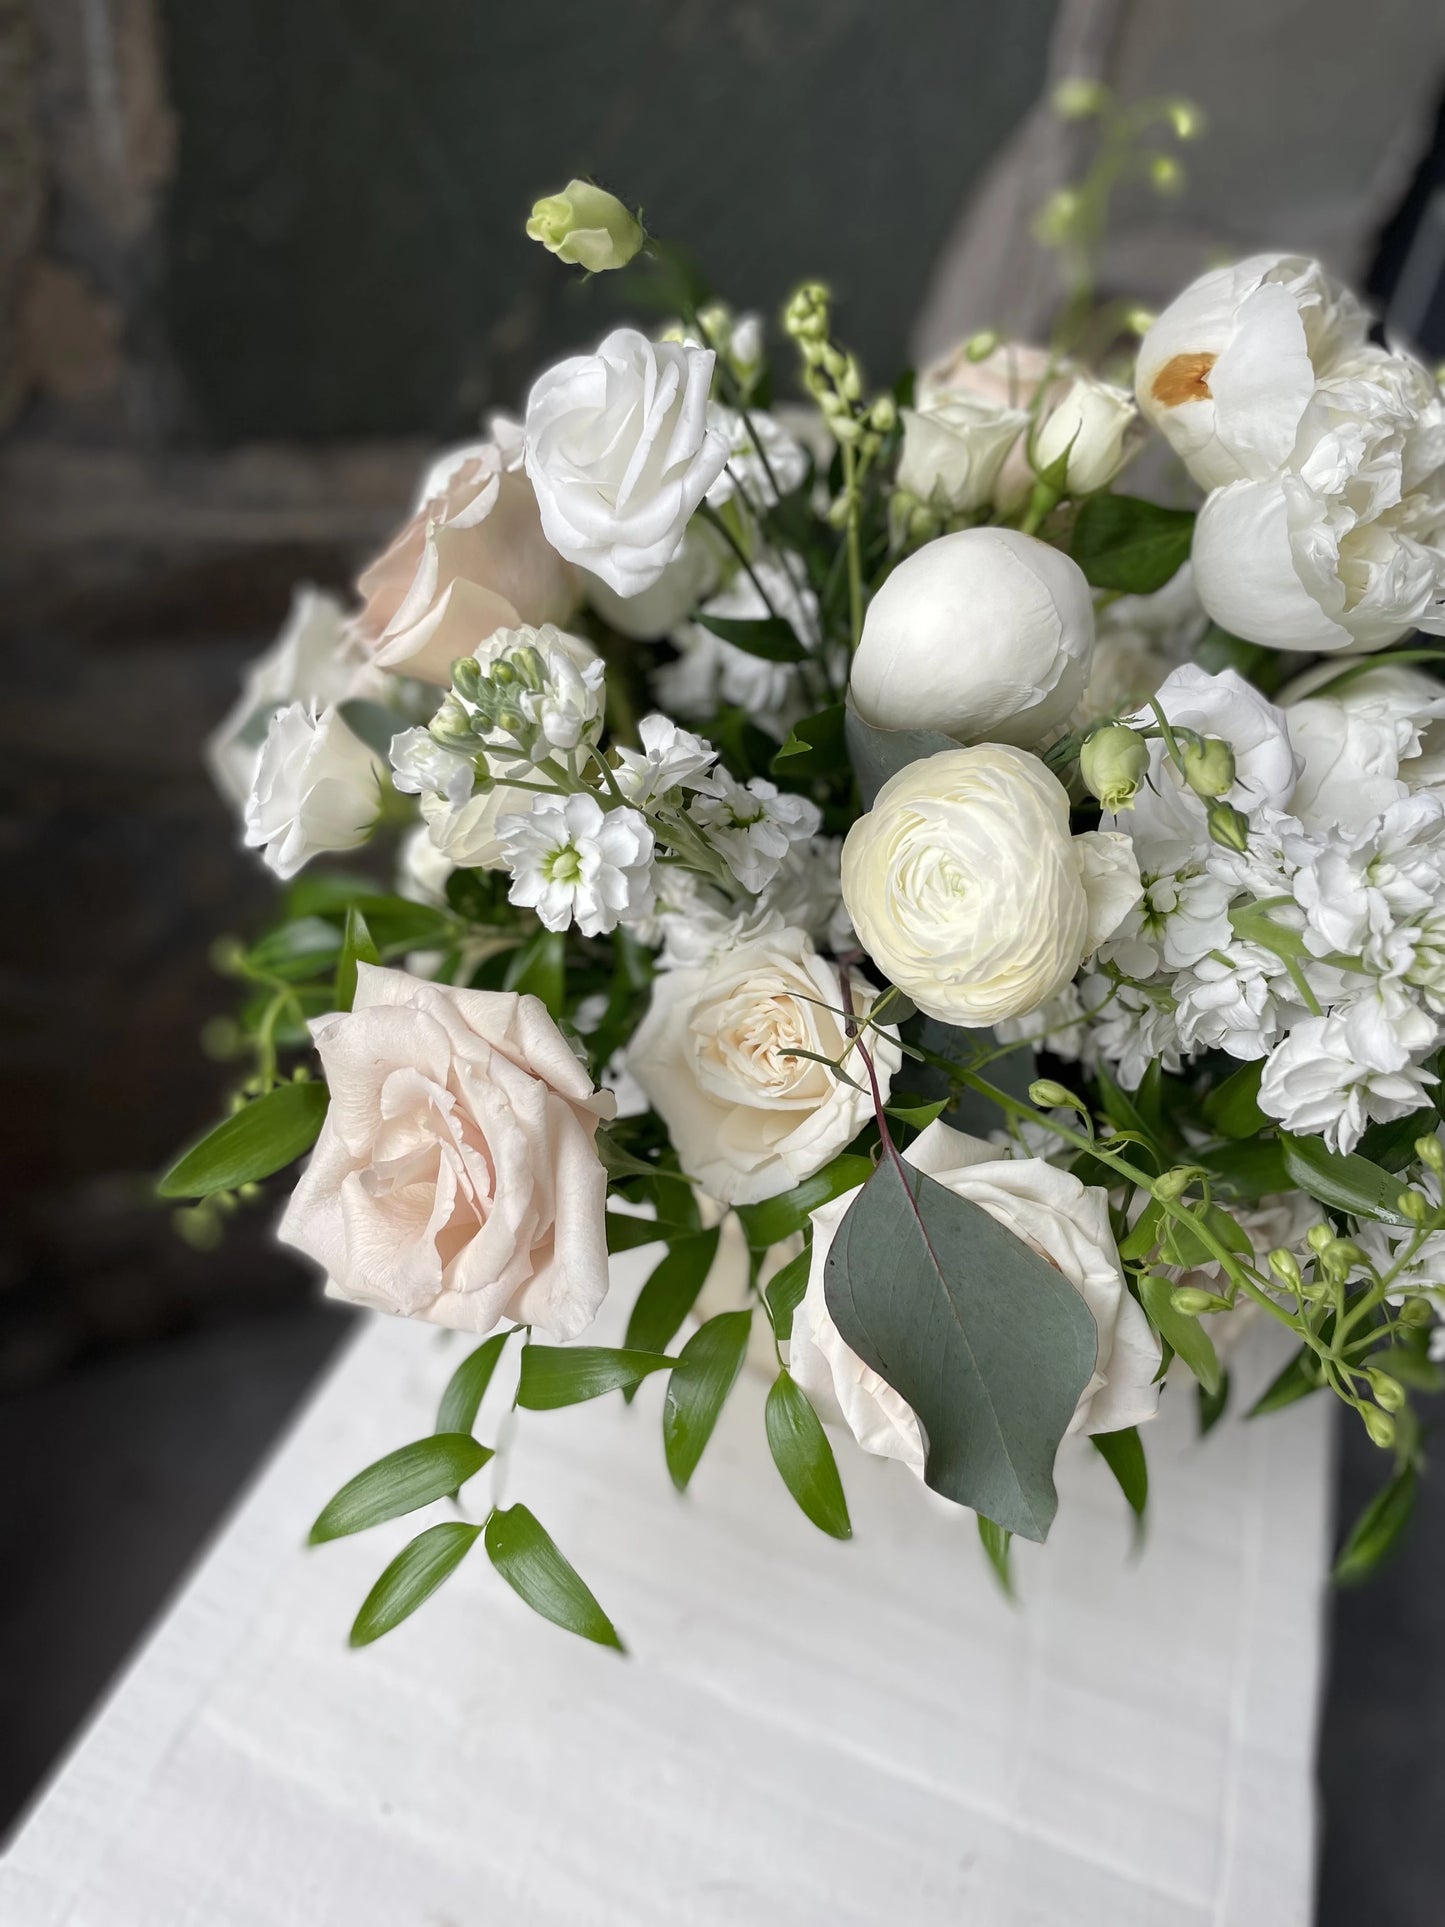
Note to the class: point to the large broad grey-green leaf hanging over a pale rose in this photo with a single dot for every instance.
(984, 1338)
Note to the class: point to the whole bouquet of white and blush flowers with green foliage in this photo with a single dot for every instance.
(984, 926)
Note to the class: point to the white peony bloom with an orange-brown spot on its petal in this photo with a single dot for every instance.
(1230, 369)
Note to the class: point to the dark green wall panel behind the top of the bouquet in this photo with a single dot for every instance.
(346, 242)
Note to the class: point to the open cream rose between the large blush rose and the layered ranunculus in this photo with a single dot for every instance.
(749, 1119)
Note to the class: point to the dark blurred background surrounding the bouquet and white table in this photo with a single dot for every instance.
(255, 259)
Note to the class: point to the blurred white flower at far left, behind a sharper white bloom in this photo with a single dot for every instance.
(315, 660)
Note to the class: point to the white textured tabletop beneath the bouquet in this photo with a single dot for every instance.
(804, 1731)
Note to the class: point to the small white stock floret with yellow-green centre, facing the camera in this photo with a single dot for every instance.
(575, 862)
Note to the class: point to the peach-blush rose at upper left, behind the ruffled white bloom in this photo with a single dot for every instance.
(469, 562)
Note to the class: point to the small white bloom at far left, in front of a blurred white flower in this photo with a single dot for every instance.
(319, 787)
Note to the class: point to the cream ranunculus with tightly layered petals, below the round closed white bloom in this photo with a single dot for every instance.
(968, 889)
